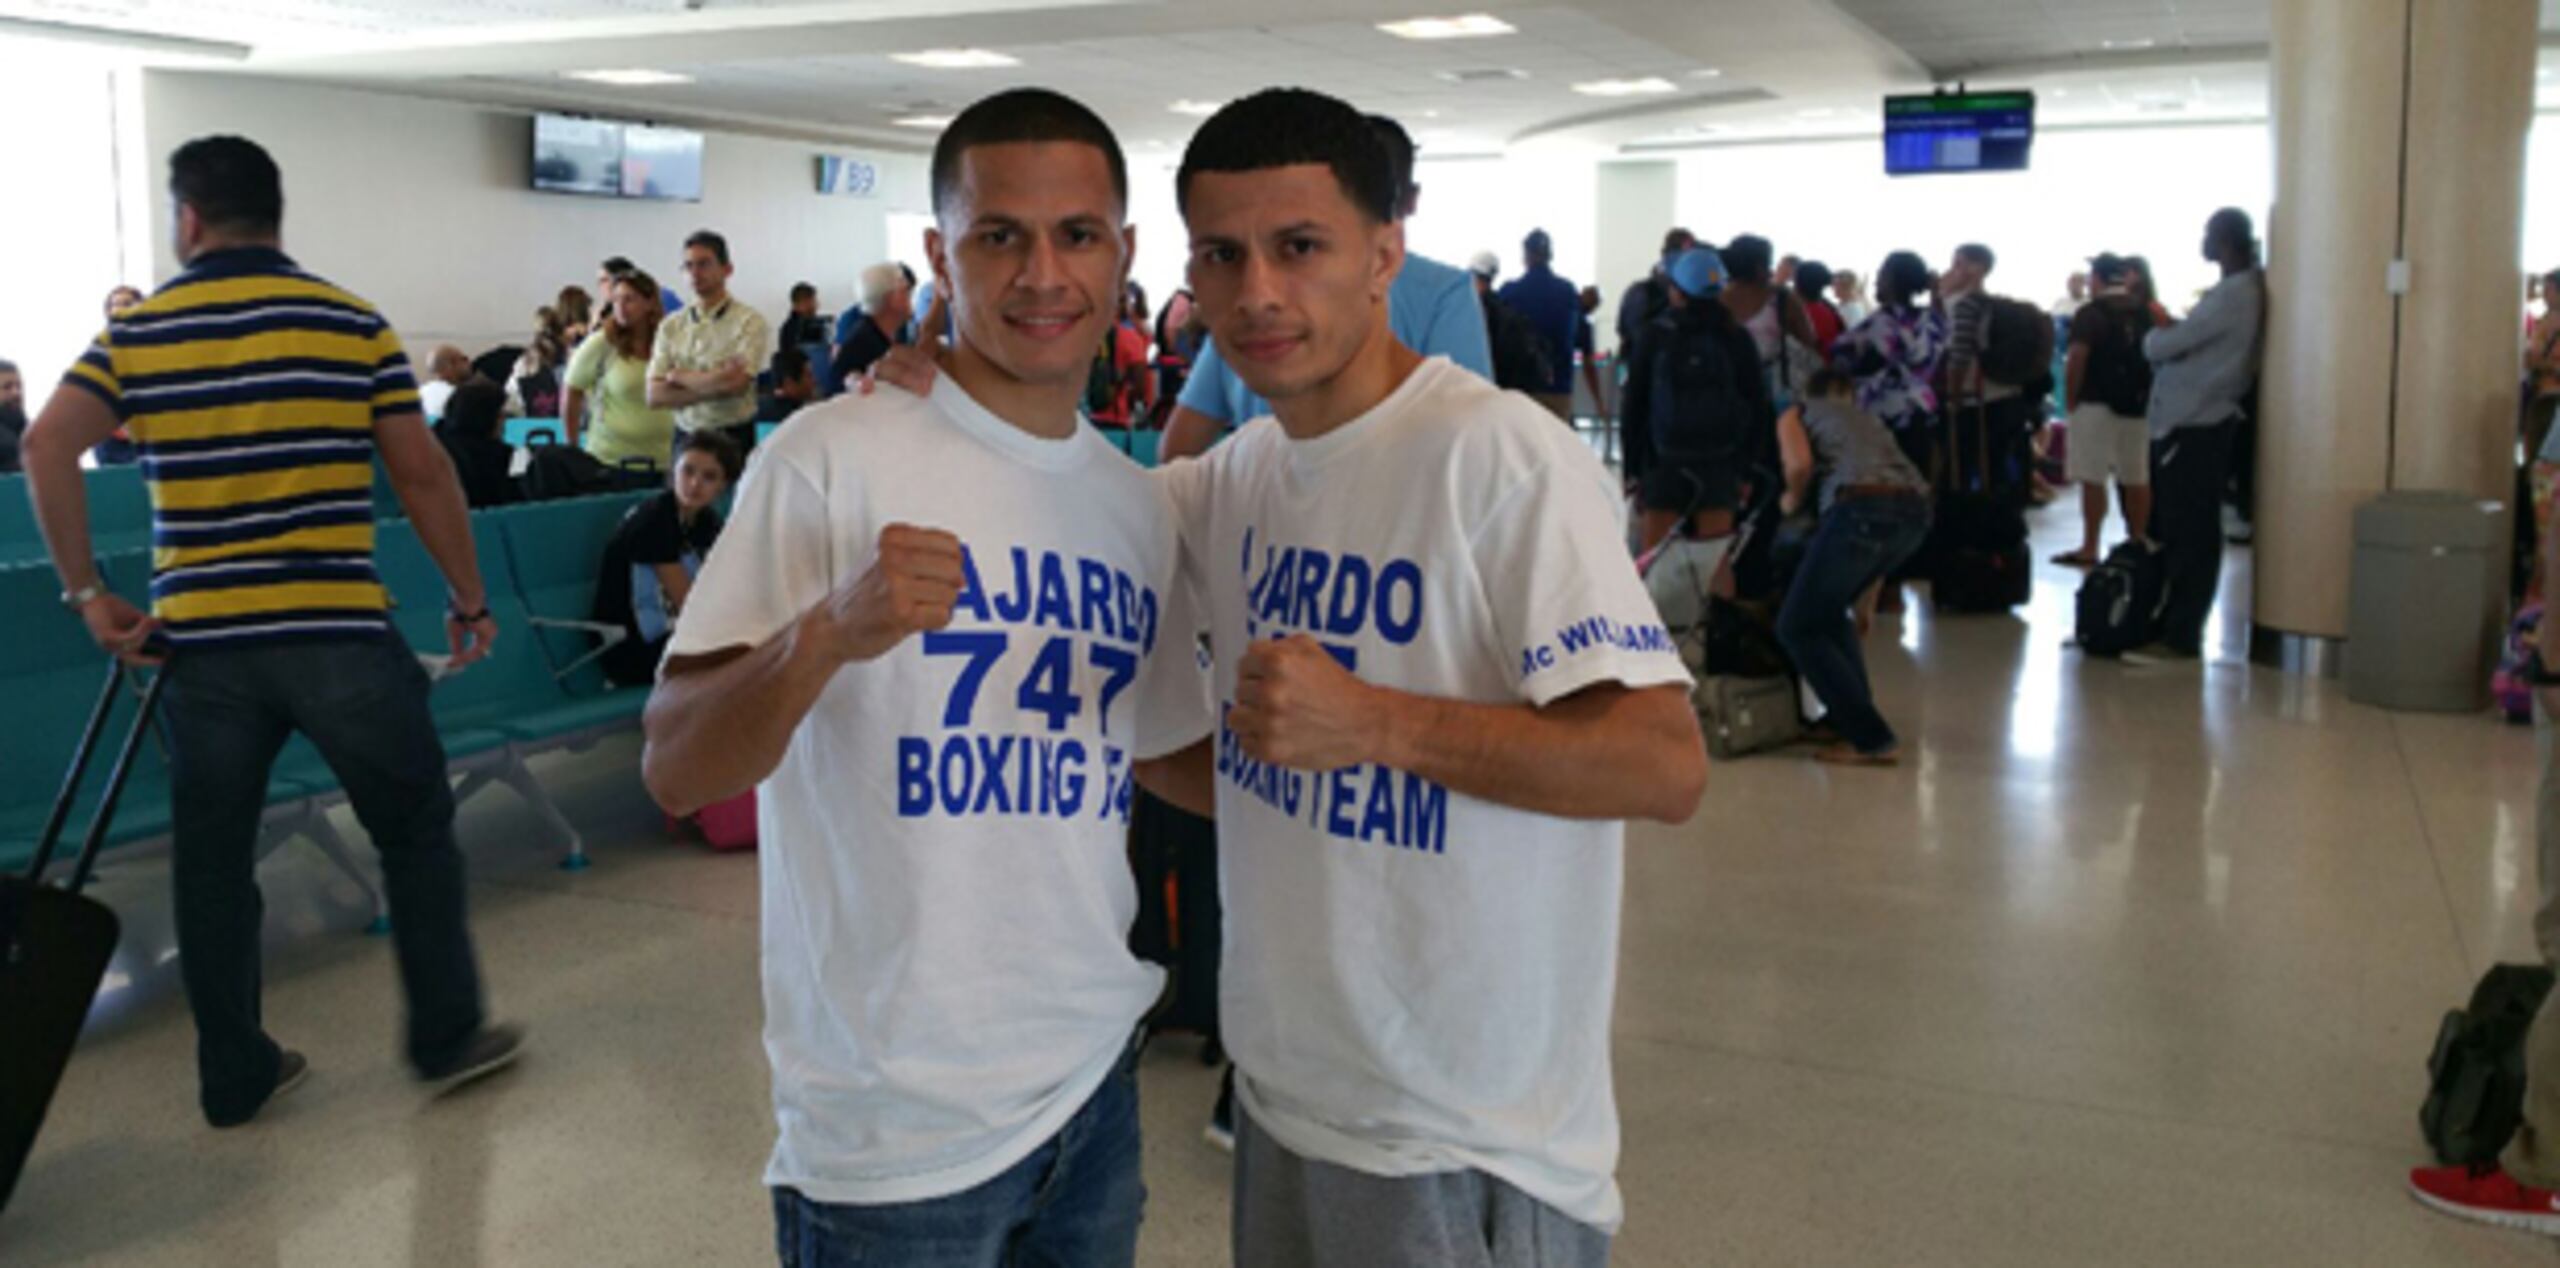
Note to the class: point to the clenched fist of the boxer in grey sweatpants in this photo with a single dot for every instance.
(1299, 708)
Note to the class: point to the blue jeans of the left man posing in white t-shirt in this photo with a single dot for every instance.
(1074, 1203)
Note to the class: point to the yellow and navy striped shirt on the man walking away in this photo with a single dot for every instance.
(252, 391)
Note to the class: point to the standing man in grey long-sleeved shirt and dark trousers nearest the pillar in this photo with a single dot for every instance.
(2203, 370)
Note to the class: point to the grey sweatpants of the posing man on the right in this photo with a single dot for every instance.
(1299, 1213)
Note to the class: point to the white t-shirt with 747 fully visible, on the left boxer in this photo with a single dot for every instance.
(943, 849)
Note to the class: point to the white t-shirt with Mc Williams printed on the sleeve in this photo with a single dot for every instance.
(1417, 980)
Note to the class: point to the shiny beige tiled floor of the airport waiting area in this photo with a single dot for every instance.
(2126, 967)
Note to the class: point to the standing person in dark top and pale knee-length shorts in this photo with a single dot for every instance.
(2108, 398)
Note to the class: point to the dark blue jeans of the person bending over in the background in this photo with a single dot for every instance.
(1860, 542)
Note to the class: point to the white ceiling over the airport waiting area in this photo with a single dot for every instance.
(820, 68)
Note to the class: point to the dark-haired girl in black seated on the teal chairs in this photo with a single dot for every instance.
(652, 562)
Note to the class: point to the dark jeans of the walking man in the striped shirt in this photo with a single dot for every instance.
(365, 706)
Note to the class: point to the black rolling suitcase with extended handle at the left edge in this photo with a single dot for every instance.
(55, 944)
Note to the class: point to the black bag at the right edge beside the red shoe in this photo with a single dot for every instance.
(2477, 1072)
